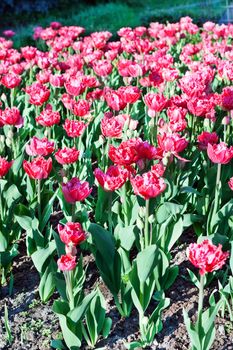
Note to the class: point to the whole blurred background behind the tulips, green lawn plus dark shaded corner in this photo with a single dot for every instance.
(23, 15)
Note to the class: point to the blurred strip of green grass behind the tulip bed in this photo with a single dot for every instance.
(113, 15)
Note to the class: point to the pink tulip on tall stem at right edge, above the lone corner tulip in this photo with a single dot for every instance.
(220, 153)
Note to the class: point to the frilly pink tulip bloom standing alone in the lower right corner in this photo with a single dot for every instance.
(206, 256)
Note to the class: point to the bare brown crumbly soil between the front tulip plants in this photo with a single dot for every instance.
(33, 324)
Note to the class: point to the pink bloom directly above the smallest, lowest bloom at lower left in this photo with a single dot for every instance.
(71, 233)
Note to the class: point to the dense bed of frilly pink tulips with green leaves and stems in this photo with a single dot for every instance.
(115, 171)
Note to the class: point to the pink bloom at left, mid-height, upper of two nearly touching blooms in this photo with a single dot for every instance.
(39, 147)
